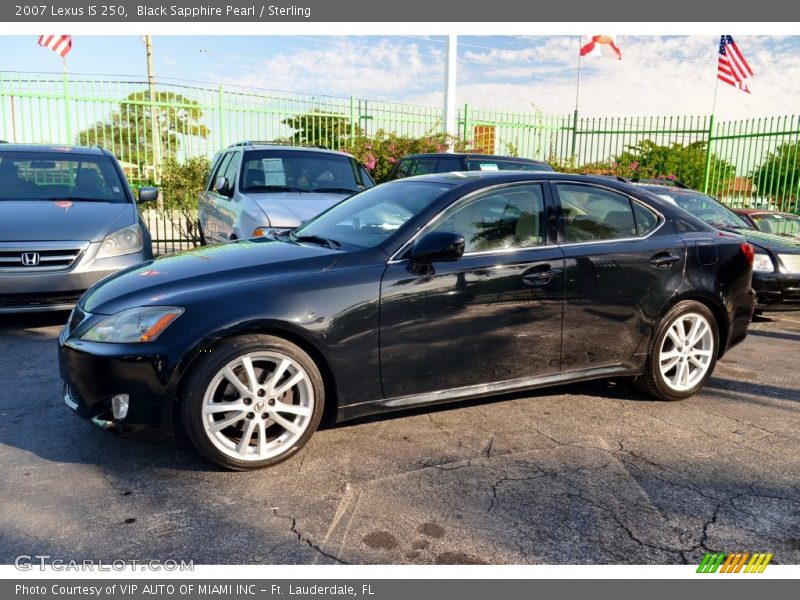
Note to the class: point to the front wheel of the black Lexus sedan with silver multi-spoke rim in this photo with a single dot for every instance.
(252, 402)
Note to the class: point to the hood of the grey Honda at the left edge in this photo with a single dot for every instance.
(43, 220)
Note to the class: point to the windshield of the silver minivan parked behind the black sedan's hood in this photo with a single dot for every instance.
(268, 171)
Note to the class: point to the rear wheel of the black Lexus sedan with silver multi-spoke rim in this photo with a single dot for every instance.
(683, 353)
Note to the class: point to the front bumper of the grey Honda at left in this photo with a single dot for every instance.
(26, 290)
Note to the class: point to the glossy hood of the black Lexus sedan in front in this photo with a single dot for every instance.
(163, 280)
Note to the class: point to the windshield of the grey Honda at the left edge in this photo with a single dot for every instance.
(59, 176)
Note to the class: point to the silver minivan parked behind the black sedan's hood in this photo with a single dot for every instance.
(260, 188)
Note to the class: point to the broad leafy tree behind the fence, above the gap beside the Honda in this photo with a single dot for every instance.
(129, 133)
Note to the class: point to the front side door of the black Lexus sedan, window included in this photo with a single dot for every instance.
(492, 316)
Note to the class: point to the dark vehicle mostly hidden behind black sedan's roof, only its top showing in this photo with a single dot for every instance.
(447, 162)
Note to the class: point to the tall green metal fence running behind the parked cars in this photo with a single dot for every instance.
(751, 162)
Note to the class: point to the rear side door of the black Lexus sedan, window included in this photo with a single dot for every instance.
(622, 265)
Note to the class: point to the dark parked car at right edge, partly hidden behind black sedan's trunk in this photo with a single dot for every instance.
(776, 272)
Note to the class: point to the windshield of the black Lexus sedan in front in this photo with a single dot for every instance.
(367, 219)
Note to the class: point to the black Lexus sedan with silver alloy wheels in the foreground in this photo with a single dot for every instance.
(415, 292)
